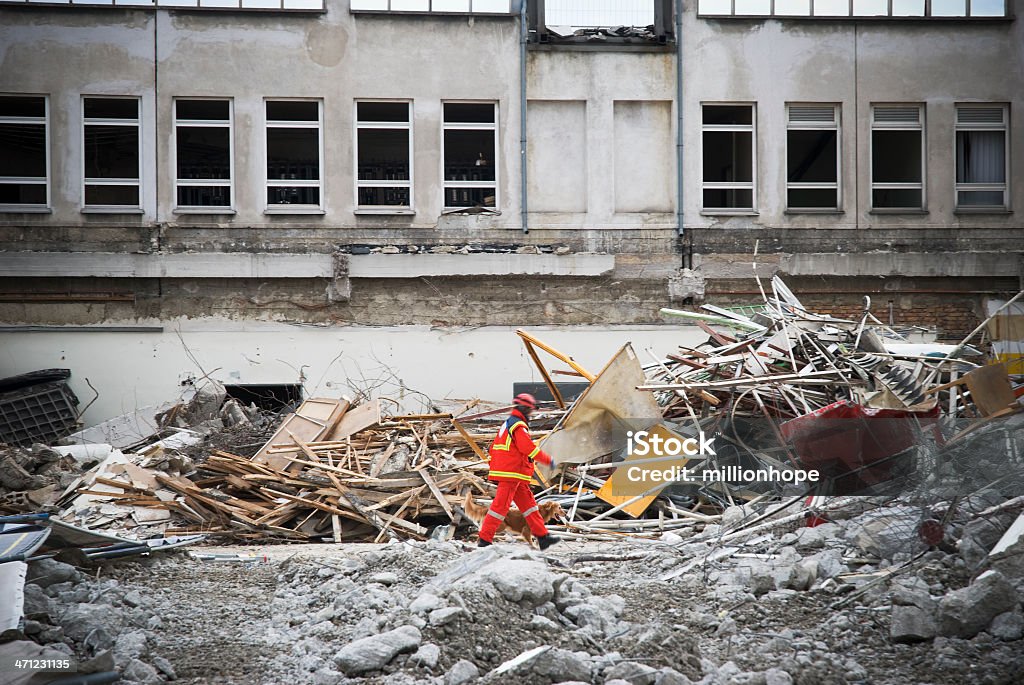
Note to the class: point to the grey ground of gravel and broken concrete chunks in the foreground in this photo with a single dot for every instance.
(442, 613)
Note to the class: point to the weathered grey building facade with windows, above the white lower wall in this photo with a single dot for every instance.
(451, 163)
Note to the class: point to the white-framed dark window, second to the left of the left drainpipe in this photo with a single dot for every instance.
(383, 155)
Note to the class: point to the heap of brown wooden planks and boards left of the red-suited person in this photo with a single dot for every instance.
(335, 473)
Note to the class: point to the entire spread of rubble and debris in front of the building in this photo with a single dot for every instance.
(905, 563)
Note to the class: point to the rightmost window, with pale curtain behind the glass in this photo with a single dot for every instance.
(982, 157)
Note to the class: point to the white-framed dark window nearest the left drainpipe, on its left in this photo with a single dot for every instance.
(471, 155)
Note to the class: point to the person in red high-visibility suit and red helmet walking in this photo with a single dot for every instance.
(513, 457)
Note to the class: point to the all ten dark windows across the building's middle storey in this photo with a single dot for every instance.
(204, 157)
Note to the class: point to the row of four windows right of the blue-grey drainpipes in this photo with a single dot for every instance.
(814, 158)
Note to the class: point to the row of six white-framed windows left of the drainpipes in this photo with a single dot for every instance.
(204, 156)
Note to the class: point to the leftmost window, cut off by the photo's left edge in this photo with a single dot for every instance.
(25, 167)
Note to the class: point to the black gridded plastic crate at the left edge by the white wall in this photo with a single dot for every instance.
(42, 413)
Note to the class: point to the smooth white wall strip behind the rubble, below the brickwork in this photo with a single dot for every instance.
(138, 369)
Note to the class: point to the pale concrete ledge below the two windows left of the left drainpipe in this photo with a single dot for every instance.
(413, 266)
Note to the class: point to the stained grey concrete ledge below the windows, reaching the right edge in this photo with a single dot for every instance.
(922, 265)
